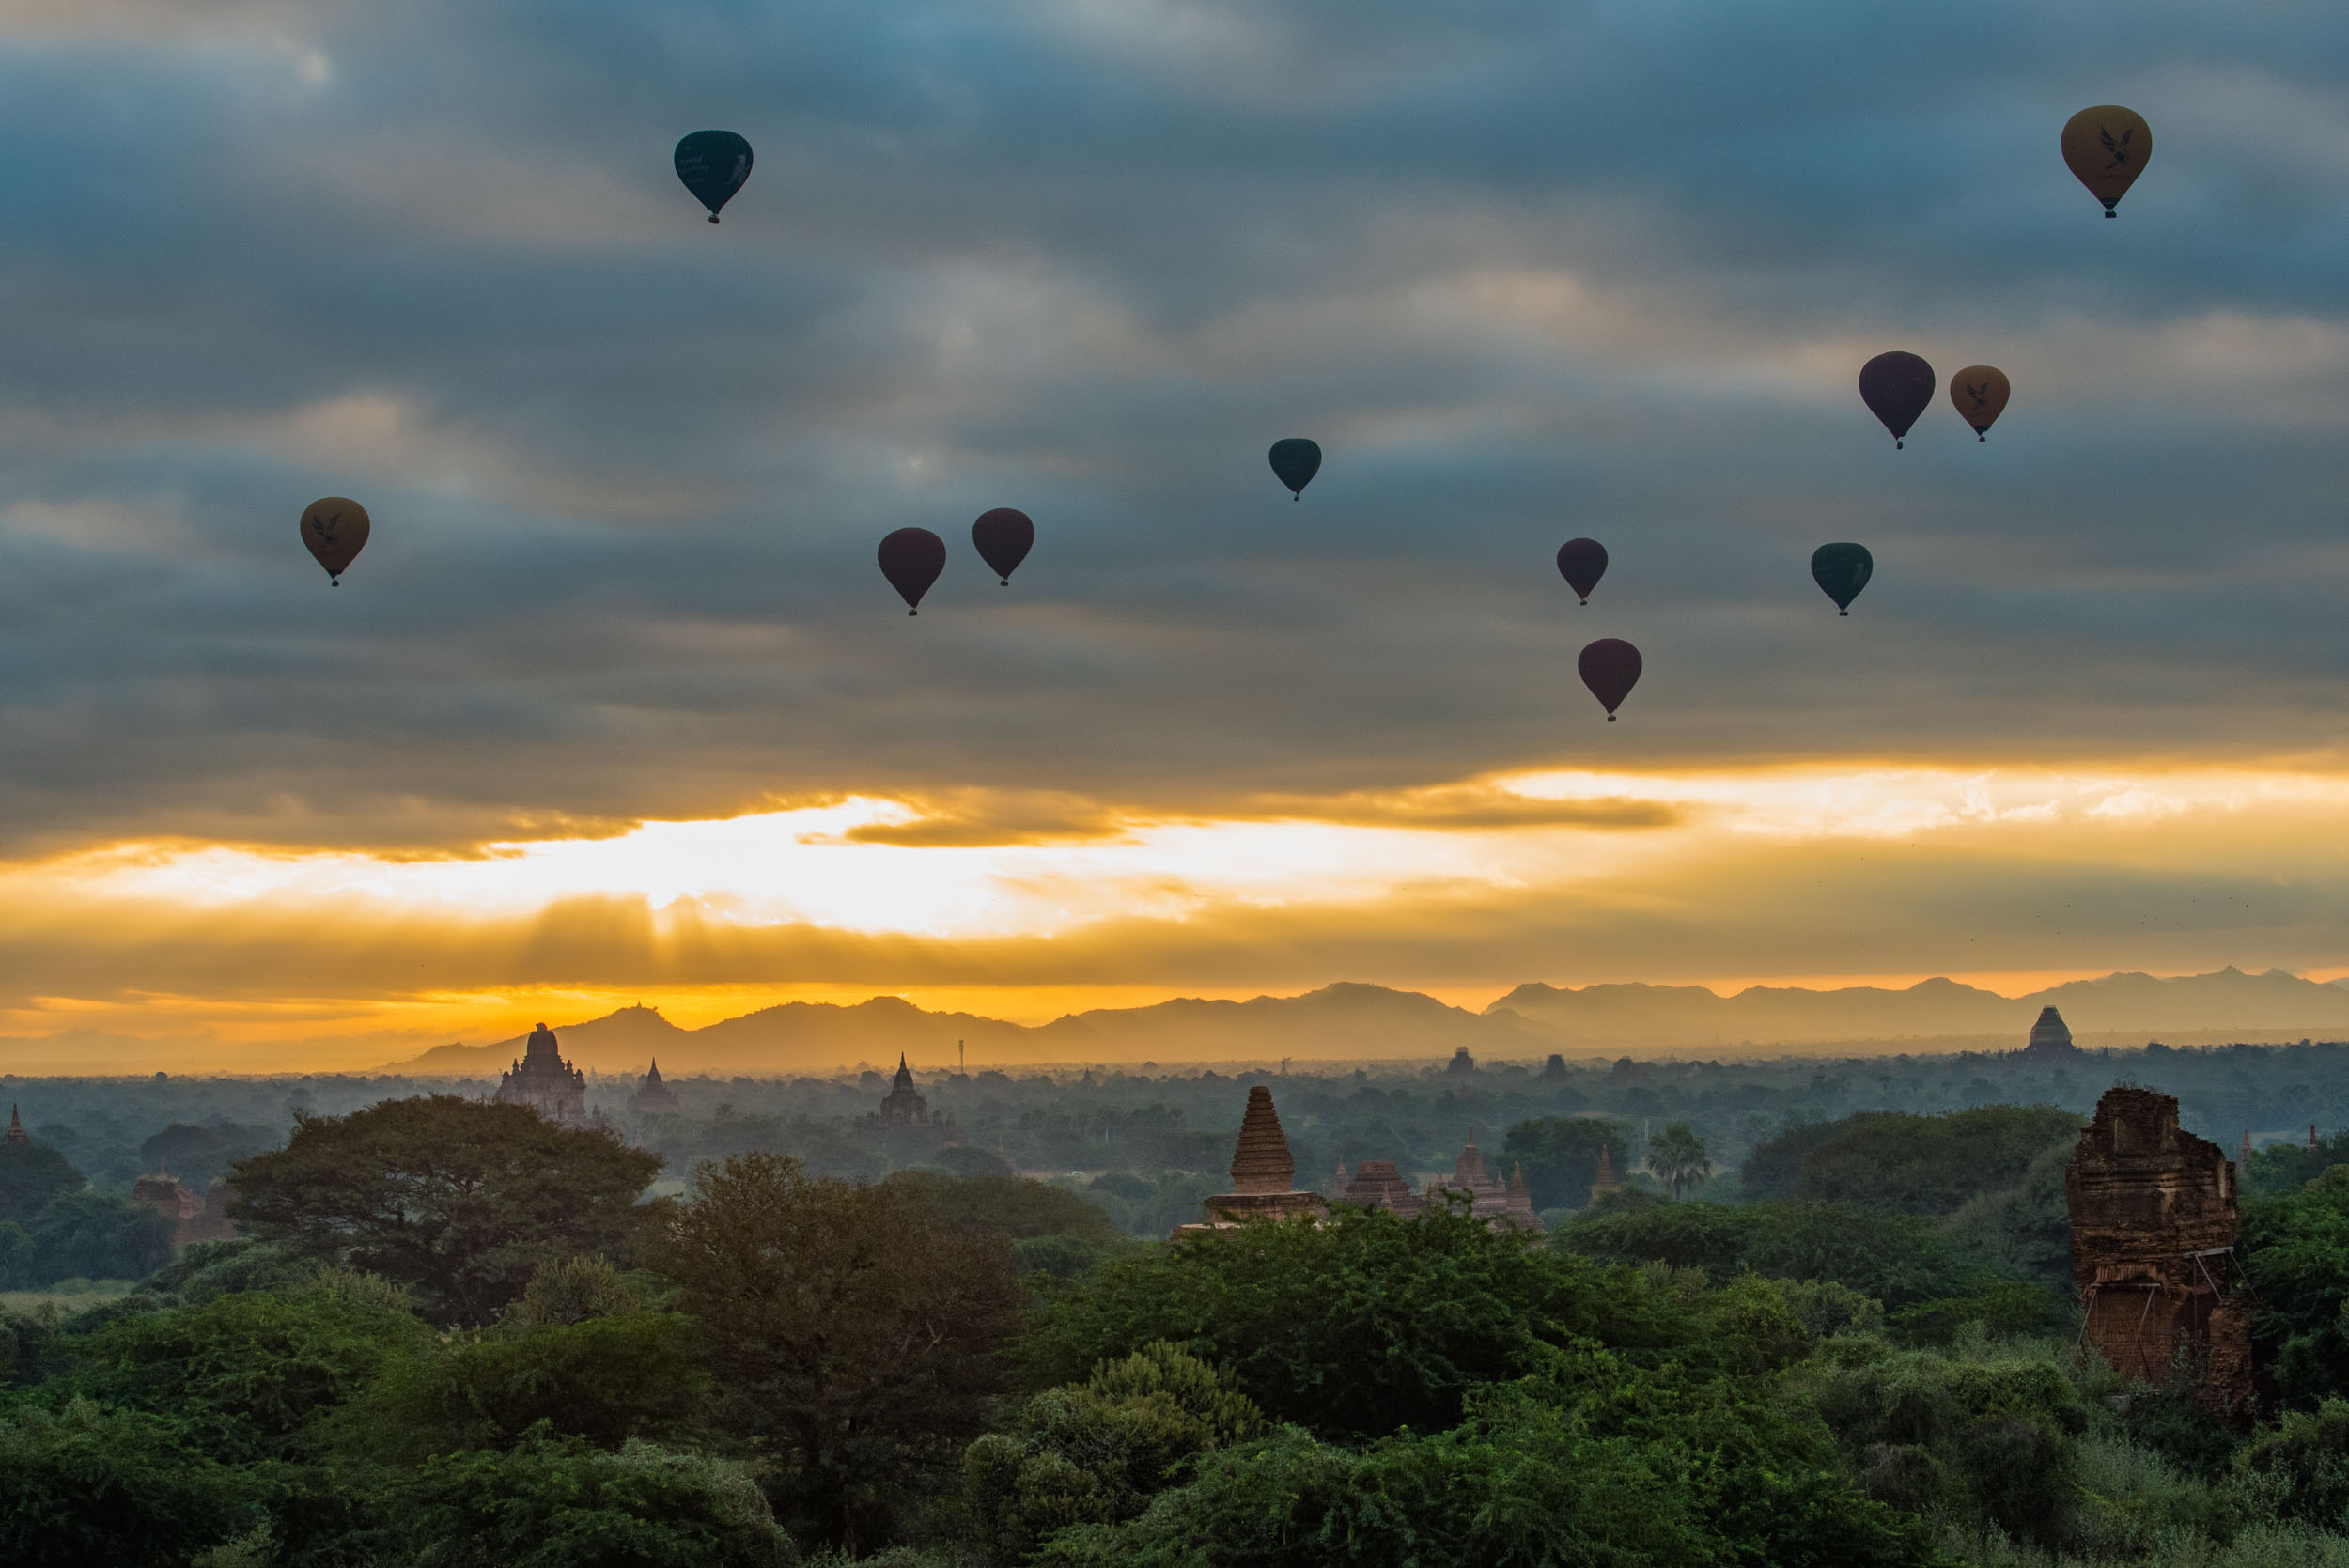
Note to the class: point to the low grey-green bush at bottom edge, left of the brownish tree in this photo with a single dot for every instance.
(558, 1503)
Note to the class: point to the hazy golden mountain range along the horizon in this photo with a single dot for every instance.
(1373, 1022)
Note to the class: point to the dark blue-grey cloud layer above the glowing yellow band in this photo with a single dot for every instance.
(1526, 269)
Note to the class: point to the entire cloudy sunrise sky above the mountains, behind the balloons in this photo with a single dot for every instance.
(619, 708)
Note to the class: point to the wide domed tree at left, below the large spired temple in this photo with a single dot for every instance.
(459, 1198)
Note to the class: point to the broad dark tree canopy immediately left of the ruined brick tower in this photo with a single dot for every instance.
(1913, 1163)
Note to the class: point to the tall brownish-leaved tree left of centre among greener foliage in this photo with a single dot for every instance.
(849, 1334)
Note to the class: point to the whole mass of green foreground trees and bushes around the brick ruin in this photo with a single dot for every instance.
(459, 1334)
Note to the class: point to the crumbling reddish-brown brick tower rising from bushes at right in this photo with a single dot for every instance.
(2153, 1248)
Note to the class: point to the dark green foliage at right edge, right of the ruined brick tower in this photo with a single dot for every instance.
(2296, 1257)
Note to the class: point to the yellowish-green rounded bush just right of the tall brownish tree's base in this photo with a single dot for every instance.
(1098, 1452)
